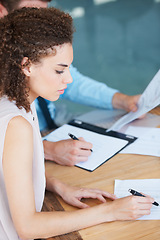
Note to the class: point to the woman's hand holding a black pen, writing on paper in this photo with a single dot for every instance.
(131, 207)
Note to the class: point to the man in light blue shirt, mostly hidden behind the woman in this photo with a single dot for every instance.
(82, 90)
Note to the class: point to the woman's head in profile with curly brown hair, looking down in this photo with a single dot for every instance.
(35, 54)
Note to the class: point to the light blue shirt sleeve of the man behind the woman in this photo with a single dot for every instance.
(85, 90)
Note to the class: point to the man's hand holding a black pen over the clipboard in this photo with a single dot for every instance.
(67, 152)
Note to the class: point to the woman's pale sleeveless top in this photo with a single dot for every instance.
(8, 110)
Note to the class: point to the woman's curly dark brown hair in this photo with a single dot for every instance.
(28, 32)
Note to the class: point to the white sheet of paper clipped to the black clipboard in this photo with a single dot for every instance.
(104, 147)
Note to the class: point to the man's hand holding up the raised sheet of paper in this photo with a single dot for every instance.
(125, 102)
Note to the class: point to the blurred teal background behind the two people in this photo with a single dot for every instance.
(116, 42)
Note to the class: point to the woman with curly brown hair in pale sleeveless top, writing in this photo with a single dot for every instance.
(35, 55)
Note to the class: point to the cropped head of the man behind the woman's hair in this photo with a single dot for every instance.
(6, 6)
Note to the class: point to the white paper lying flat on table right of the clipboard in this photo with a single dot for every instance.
(148, 142)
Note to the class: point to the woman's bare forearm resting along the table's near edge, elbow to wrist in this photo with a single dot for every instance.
(47, 224)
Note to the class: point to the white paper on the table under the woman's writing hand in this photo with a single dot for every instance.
(147, 186)
